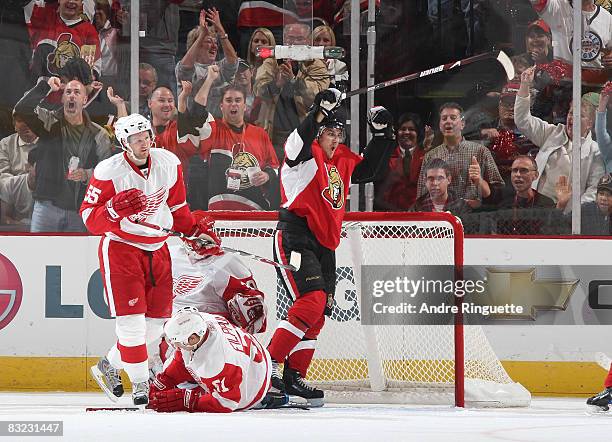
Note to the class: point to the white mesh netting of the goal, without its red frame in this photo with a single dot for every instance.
(413, 357)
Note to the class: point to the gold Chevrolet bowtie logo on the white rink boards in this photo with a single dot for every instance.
(520, 287)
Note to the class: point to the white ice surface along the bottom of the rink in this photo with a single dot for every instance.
(546, 420)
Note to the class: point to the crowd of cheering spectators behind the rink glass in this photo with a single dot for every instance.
(503, 164)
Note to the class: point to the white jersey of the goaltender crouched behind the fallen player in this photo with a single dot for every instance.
(207, 284)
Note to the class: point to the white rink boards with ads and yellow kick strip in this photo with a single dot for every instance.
(60, 324)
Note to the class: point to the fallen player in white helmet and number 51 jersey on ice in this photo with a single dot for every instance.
(230, 368)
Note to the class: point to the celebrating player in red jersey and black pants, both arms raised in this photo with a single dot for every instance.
(315, 179)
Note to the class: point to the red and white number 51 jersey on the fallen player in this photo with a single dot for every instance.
(231, 366)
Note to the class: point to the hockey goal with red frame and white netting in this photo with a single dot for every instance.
(427, 364)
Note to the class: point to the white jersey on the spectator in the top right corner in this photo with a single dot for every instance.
(597, 34)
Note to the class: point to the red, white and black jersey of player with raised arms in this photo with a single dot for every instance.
(316, 187)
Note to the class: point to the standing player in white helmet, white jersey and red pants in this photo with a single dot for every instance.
(142, 183)
